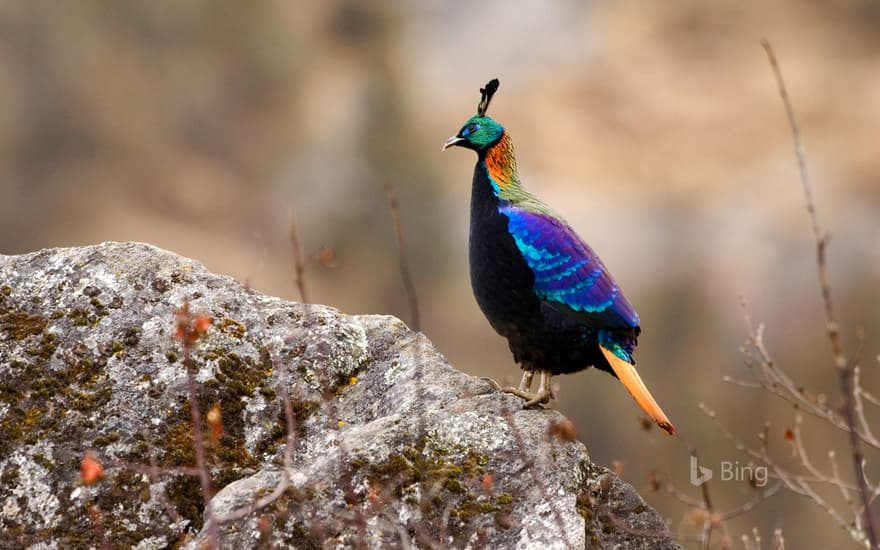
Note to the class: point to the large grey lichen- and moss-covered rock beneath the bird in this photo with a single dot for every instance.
(392, 446)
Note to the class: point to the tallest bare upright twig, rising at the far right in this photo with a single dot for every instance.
(844, 367)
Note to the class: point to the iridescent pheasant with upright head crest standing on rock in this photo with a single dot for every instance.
(538, 283)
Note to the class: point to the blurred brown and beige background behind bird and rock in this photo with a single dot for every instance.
(206, 127)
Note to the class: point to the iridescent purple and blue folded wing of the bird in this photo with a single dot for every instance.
(568, 274)
